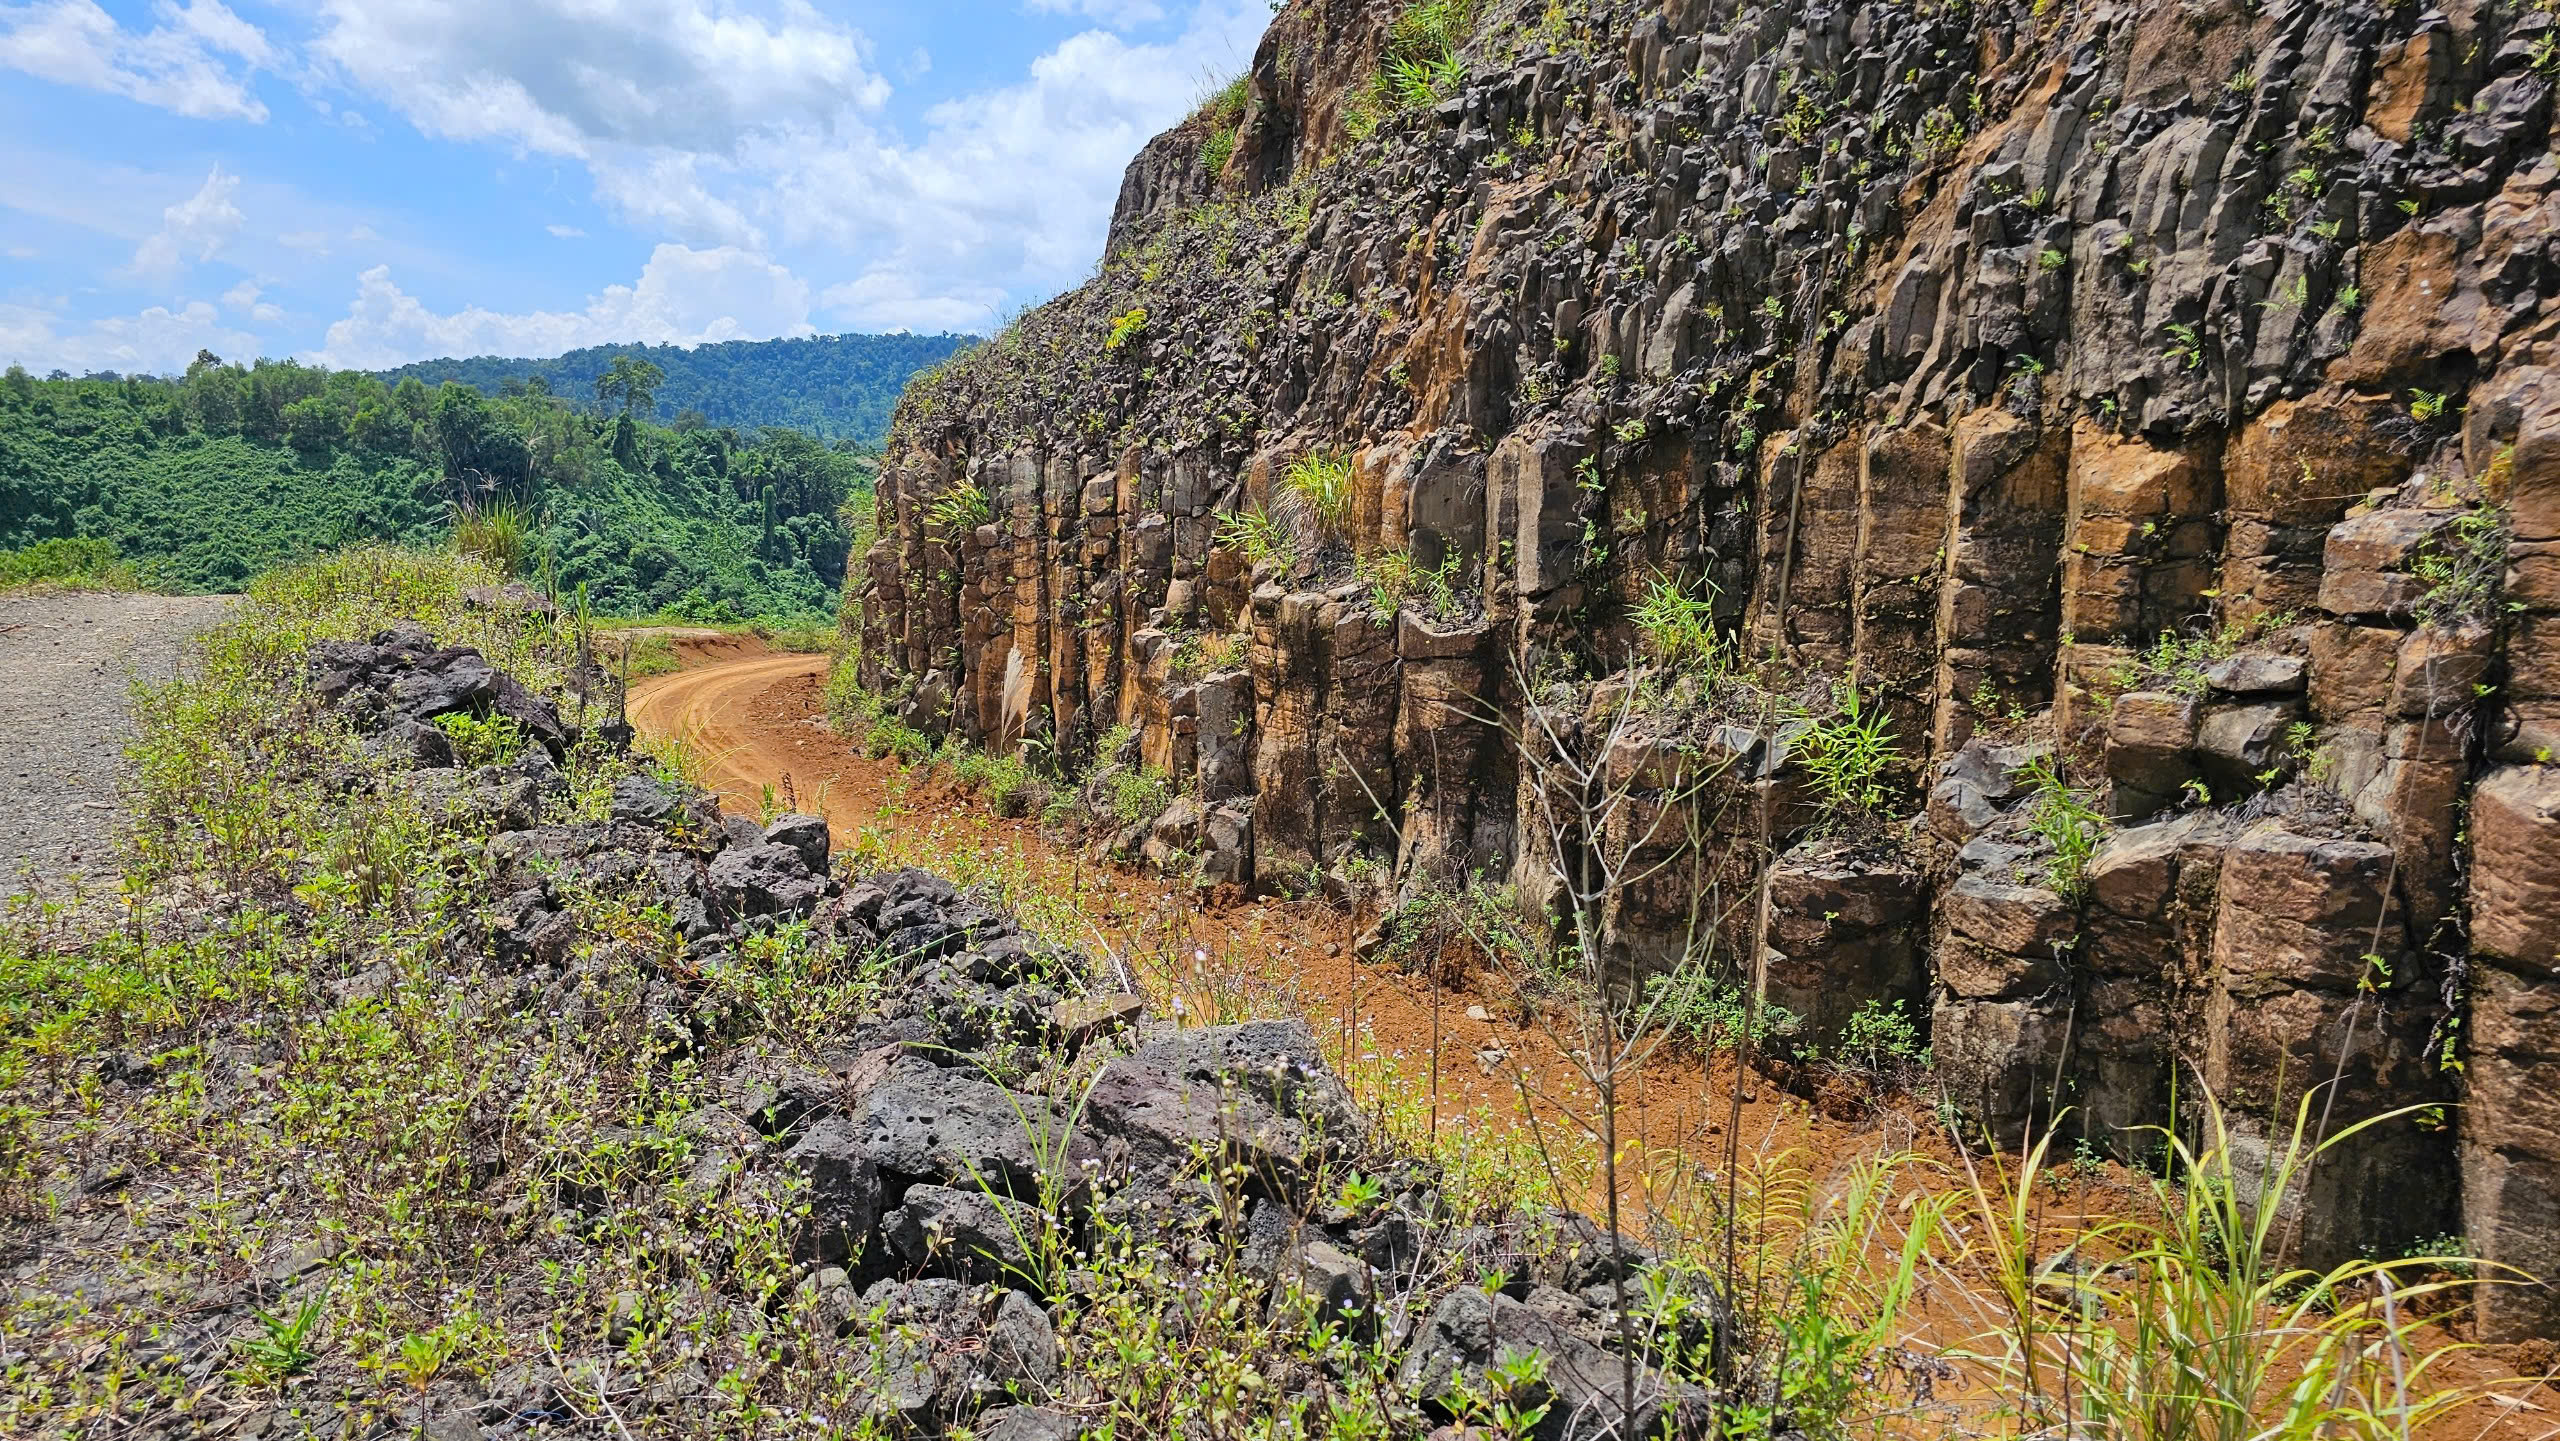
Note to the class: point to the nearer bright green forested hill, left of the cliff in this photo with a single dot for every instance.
(209, 480)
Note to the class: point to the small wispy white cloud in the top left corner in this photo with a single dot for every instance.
(180, 65)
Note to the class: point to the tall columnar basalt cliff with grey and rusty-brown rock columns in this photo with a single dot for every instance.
(1955, 357)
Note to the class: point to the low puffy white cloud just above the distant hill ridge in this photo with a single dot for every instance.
(685, 298)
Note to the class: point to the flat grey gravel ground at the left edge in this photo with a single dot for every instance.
(68, 662)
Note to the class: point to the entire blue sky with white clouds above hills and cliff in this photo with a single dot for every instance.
(367, 183)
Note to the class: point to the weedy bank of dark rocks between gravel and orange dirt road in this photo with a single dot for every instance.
(974, 1153)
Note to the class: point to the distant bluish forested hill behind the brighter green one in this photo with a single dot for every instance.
(836, 388)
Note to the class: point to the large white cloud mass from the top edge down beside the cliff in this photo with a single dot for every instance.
(736, 129)
